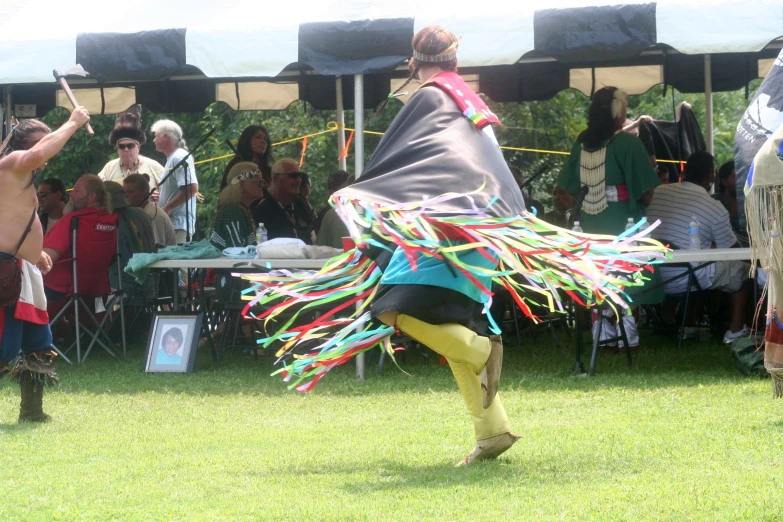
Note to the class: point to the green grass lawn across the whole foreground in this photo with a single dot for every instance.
(680, 436)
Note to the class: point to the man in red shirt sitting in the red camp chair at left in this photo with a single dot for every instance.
(88, 197)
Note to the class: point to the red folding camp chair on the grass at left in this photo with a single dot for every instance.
(93, 248)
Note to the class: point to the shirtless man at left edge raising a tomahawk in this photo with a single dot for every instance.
(24, 326)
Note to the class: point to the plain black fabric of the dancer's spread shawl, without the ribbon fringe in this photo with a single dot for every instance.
(431, 148)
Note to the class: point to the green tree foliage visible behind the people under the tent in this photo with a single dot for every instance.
(550, 125)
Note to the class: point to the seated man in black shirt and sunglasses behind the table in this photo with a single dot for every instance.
(283, 213)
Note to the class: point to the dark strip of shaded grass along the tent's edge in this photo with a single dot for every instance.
(535, 368)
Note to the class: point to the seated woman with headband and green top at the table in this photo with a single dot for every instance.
(233, 225)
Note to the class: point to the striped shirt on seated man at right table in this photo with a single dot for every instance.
(674, 205)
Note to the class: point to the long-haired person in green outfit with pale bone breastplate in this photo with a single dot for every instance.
(616, 167)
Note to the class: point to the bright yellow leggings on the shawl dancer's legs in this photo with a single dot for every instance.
(466, 353)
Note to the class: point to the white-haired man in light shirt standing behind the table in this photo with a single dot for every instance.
(178, 191)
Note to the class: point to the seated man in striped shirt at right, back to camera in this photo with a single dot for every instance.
(674, 205)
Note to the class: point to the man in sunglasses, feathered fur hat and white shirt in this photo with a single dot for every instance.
(127, 137)
